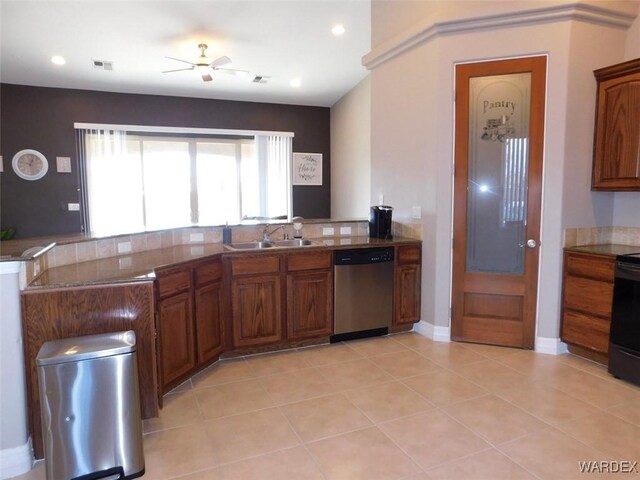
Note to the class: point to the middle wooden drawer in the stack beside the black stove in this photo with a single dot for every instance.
(589, 296)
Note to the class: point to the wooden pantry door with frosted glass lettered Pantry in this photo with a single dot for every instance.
(497, 191)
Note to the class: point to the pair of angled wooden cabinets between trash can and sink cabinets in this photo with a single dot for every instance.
(189, 322)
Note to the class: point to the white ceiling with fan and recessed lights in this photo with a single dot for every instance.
(280, 39)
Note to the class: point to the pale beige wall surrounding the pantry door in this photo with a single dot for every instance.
(412, 130)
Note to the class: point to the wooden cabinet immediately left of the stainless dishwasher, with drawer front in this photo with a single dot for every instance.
(309, 295)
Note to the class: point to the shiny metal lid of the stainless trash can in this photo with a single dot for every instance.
(86, 347)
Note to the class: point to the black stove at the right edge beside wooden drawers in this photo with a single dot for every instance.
(624, 340)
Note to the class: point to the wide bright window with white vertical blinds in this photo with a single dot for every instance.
(135, 181)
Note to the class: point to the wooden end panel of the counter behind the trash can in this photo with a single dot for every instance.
(61, 313)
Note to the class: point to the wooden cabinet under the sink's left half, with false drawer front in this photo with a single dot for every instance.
(256, 313)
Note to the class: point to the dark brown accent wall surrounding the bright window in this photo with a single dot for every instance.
(42, 119)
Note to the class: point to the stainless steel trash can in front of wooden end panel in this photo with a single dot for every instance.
(90, 407)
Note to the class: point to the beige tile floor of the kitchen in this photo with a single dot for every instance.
(398, 407)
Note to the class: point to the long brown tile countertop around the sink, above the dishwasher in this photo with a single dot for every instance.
(141, 266)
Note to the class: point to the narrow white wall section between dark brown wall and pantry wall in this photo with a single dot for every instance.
(351, 153)
